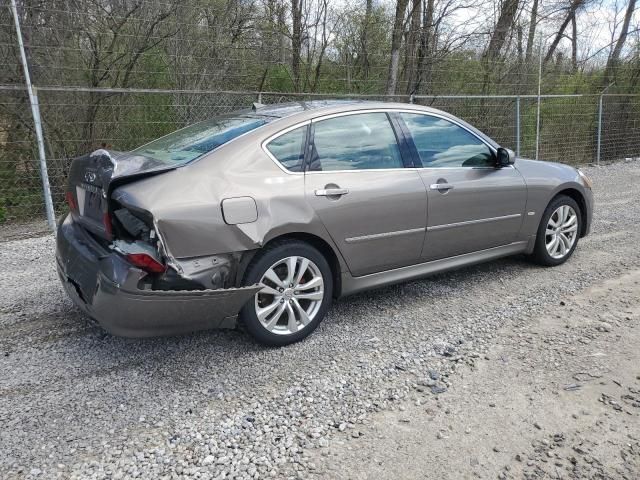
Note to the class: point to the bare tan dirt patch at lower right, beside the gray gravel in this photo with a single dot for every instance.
(556, 398)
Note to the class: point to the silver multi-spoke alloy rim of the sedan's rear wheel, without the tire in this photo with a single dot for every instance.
(291, 296)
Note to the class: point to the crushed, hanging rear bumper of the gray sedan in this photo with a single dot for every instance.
(106, 287)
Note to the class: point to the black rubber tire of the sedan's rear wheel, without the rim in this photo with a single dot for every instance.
(248, 319)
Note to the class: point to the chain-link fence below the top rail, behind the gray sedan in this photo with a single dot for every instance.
(574, 129)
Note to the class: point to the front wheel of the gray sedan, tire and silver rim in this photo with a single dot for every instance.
(558, 232)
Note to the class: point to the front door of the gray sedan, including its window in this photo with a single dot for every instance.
(472, 204)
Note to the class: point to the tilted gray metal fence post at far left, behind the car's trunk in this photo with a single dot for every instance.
(35, 111)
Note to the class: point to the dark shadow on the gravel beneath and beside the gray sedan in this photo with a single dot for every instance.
(87, 350)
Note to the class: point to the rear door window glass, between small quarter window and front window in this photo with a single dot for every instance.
(363, 141)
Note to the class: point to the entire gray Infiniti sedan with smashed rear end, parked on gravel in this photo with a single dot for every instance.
(260, 218)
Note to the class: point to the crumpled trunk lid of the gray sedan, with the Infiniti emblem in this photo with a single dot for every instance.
(93, 177)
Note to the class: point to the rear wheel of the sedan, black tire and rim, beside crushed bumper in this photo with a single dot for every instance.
(297, 288)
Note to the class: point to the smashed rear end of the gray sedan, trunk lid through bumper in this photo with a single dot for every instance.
(114, 262)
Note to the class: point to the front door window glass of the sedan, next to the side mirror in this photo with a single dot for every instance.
(443, 144)
